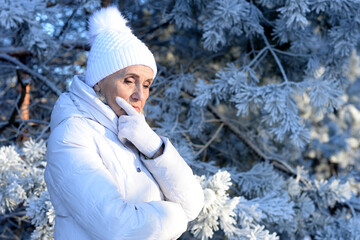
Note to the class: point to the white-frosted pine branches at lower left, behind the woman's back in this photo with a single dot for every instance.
(22, 183)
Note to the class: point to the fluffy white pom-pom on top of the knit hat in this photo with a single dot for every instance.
(106, 19)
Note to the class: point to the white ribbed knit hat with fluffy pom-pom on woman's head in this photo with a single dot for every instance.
(113, 46)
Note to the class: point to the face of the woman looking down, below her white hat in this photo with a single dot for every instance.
(131, 83)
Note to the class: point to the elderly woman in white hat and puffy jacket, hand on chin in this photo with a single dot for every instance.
(109, 175)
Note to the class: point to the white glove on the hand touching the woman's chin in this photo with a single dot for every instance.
(134, 128)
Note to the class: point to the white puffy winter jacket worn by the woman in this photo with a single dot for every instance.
(104, 189)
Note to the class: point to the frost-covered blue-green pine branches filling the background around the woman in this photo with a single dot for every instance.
(261, 97)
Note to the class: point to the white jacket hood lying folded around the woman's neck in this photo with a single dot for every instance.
(82, 101)
